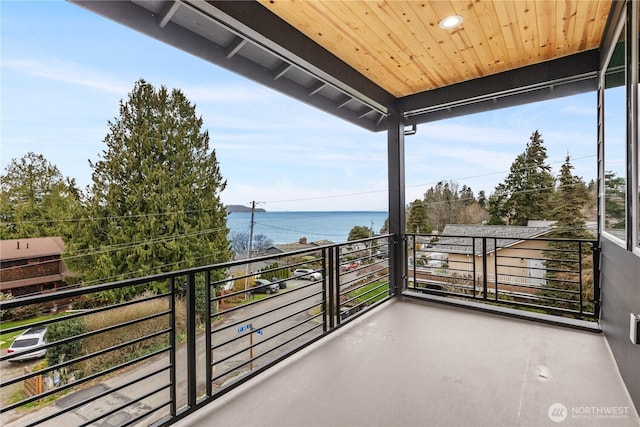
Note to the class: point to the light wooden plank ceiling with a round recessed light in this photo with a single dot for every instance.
(399, 45)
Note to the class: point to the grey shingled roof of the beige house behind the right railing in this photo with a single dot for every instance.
(459, 238)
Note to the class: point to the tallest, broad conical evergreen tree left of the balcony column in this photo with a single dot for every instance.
(155, 199)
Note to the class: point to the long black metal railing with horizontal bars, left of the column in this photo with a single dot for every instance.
(158, 356)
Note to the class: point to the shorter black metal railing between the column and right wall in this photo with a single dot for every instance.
(552, 276)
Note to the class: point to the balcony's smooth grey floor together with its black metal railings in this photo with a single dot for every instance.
(335, 349)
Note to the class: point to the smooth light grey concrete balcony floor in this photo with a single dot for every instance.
(425, 364)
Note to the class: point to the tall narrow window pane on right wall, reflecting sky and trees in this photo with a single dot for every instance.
(615, 127)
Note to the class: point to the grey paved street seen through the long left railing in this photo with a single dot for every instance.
(233, 358)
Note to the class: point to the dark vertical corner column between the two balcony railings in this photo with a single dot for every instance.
(395, 159)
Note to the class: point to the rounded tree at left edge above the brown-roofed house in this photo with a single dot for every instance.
(36, 200)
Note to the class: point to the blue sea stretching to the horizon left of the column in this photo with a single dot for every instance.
(289, 227)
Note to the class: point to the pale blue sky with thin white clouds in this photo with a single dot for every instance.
(64, 70)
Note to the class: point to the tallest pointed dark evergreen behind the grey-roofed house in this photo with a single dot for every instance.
(527, 190)
